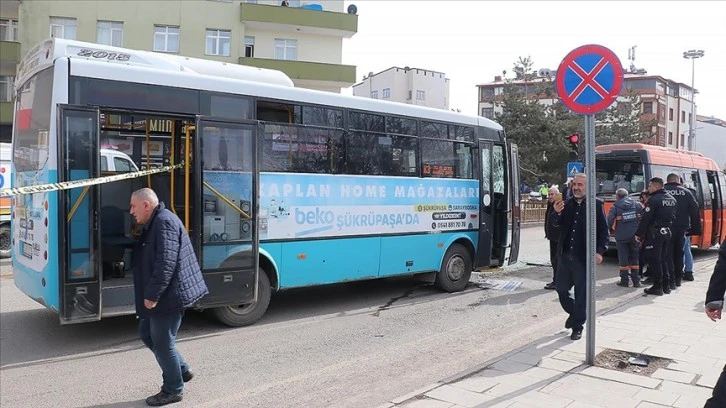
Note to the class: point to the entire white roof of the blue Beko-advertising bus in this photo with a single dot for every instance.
(183, 72)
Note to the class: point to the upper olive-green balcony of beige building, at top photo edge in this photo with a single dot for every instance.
(299, 20)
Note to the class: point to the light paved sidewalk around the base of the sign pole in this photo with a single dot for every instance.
(551, 372)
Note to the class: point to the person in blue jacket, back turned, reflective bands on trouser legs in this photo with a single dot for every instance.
(623, 218)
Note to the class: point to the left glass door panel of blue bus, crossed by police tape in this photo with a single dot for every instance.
(80, 258)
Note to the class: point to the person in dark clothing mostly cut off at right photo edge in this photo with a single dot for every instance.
(714, 306)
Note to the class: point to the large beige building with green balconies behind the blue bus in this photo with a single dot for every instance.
(304, 40)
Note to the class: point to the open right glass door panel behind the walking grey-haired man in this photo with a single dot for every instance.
(227, 205)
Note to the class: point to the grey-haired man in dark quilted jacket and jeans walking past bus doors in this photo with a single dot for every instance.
(167, 280)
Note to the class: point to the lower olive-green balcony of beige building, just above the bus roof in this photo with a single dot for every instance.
(308, 74)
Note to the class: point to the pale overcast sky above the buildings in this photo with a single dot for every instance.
(472, 41)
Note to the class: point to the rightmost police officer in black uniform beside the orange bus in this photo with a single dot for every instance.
(686, 210)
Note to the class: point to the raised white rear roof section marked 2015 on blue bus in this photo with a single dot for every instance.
(42, 55)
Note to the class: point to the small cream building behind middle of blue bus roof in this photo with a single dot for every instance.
(413, 86)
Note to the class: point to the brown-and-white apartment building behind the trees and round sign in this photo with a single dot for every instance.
(668, 101)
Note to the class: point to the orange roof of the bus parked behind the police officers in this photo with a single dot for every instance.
(667, 156)
